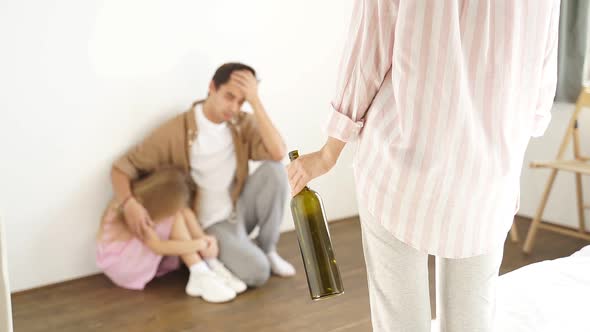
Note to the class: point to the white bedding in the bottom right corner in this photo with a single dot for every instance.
(549, 296)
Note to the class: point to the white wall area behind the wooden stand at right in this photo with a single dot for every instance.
(561, 207)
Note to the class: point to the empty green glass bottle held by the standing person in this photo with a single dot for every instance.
(323, 276)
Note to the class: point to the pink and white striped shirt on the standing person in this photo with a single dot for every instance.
(444, 97)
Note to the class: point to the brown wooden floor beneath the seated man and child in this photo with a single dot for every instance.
(94, 304)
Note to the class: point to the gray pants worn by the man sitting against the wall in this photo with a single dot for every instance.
(262, 204)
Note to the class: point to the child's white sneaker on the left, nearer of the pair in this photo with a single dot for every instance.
(209, 286)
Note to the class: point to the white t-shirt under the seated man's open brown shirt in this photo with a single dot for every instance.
(213, 167)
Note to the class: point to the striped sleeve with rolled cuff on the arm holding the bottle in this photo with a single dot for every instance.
(366, 59)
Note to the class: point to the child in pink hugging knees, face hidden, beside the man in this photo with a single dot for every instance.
(131, 262)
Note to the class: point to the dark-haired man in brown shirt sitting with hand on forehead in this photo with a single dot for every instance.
(212, 143)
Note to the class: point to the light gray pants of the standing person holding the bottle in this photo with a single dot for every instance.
(398, 285)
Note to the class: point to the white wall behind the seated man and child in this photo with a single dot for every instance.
(82, 80)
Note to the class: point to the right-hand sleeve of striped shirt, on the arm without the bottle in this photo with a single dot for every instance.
(548, 78)
